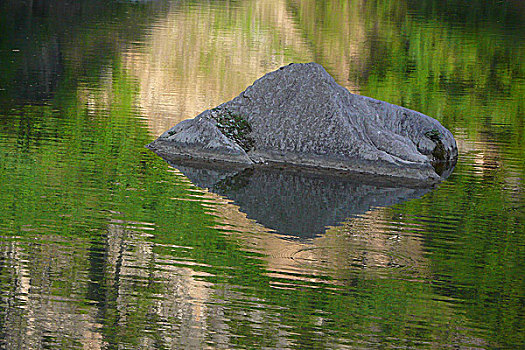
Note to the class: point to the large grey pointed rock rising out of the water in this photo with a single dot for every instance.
(299, 115)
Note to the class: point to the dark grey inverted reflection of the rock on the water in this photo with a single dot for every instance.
(297, 202)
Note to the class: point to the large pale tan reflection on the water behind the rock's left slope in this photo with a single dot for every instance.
(200, 56)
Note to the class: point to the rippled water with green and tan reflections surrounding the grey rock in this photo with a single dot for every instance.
(103, 245)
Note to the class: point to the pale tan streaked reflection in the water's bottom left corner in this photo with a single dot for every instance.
(43, 307)
